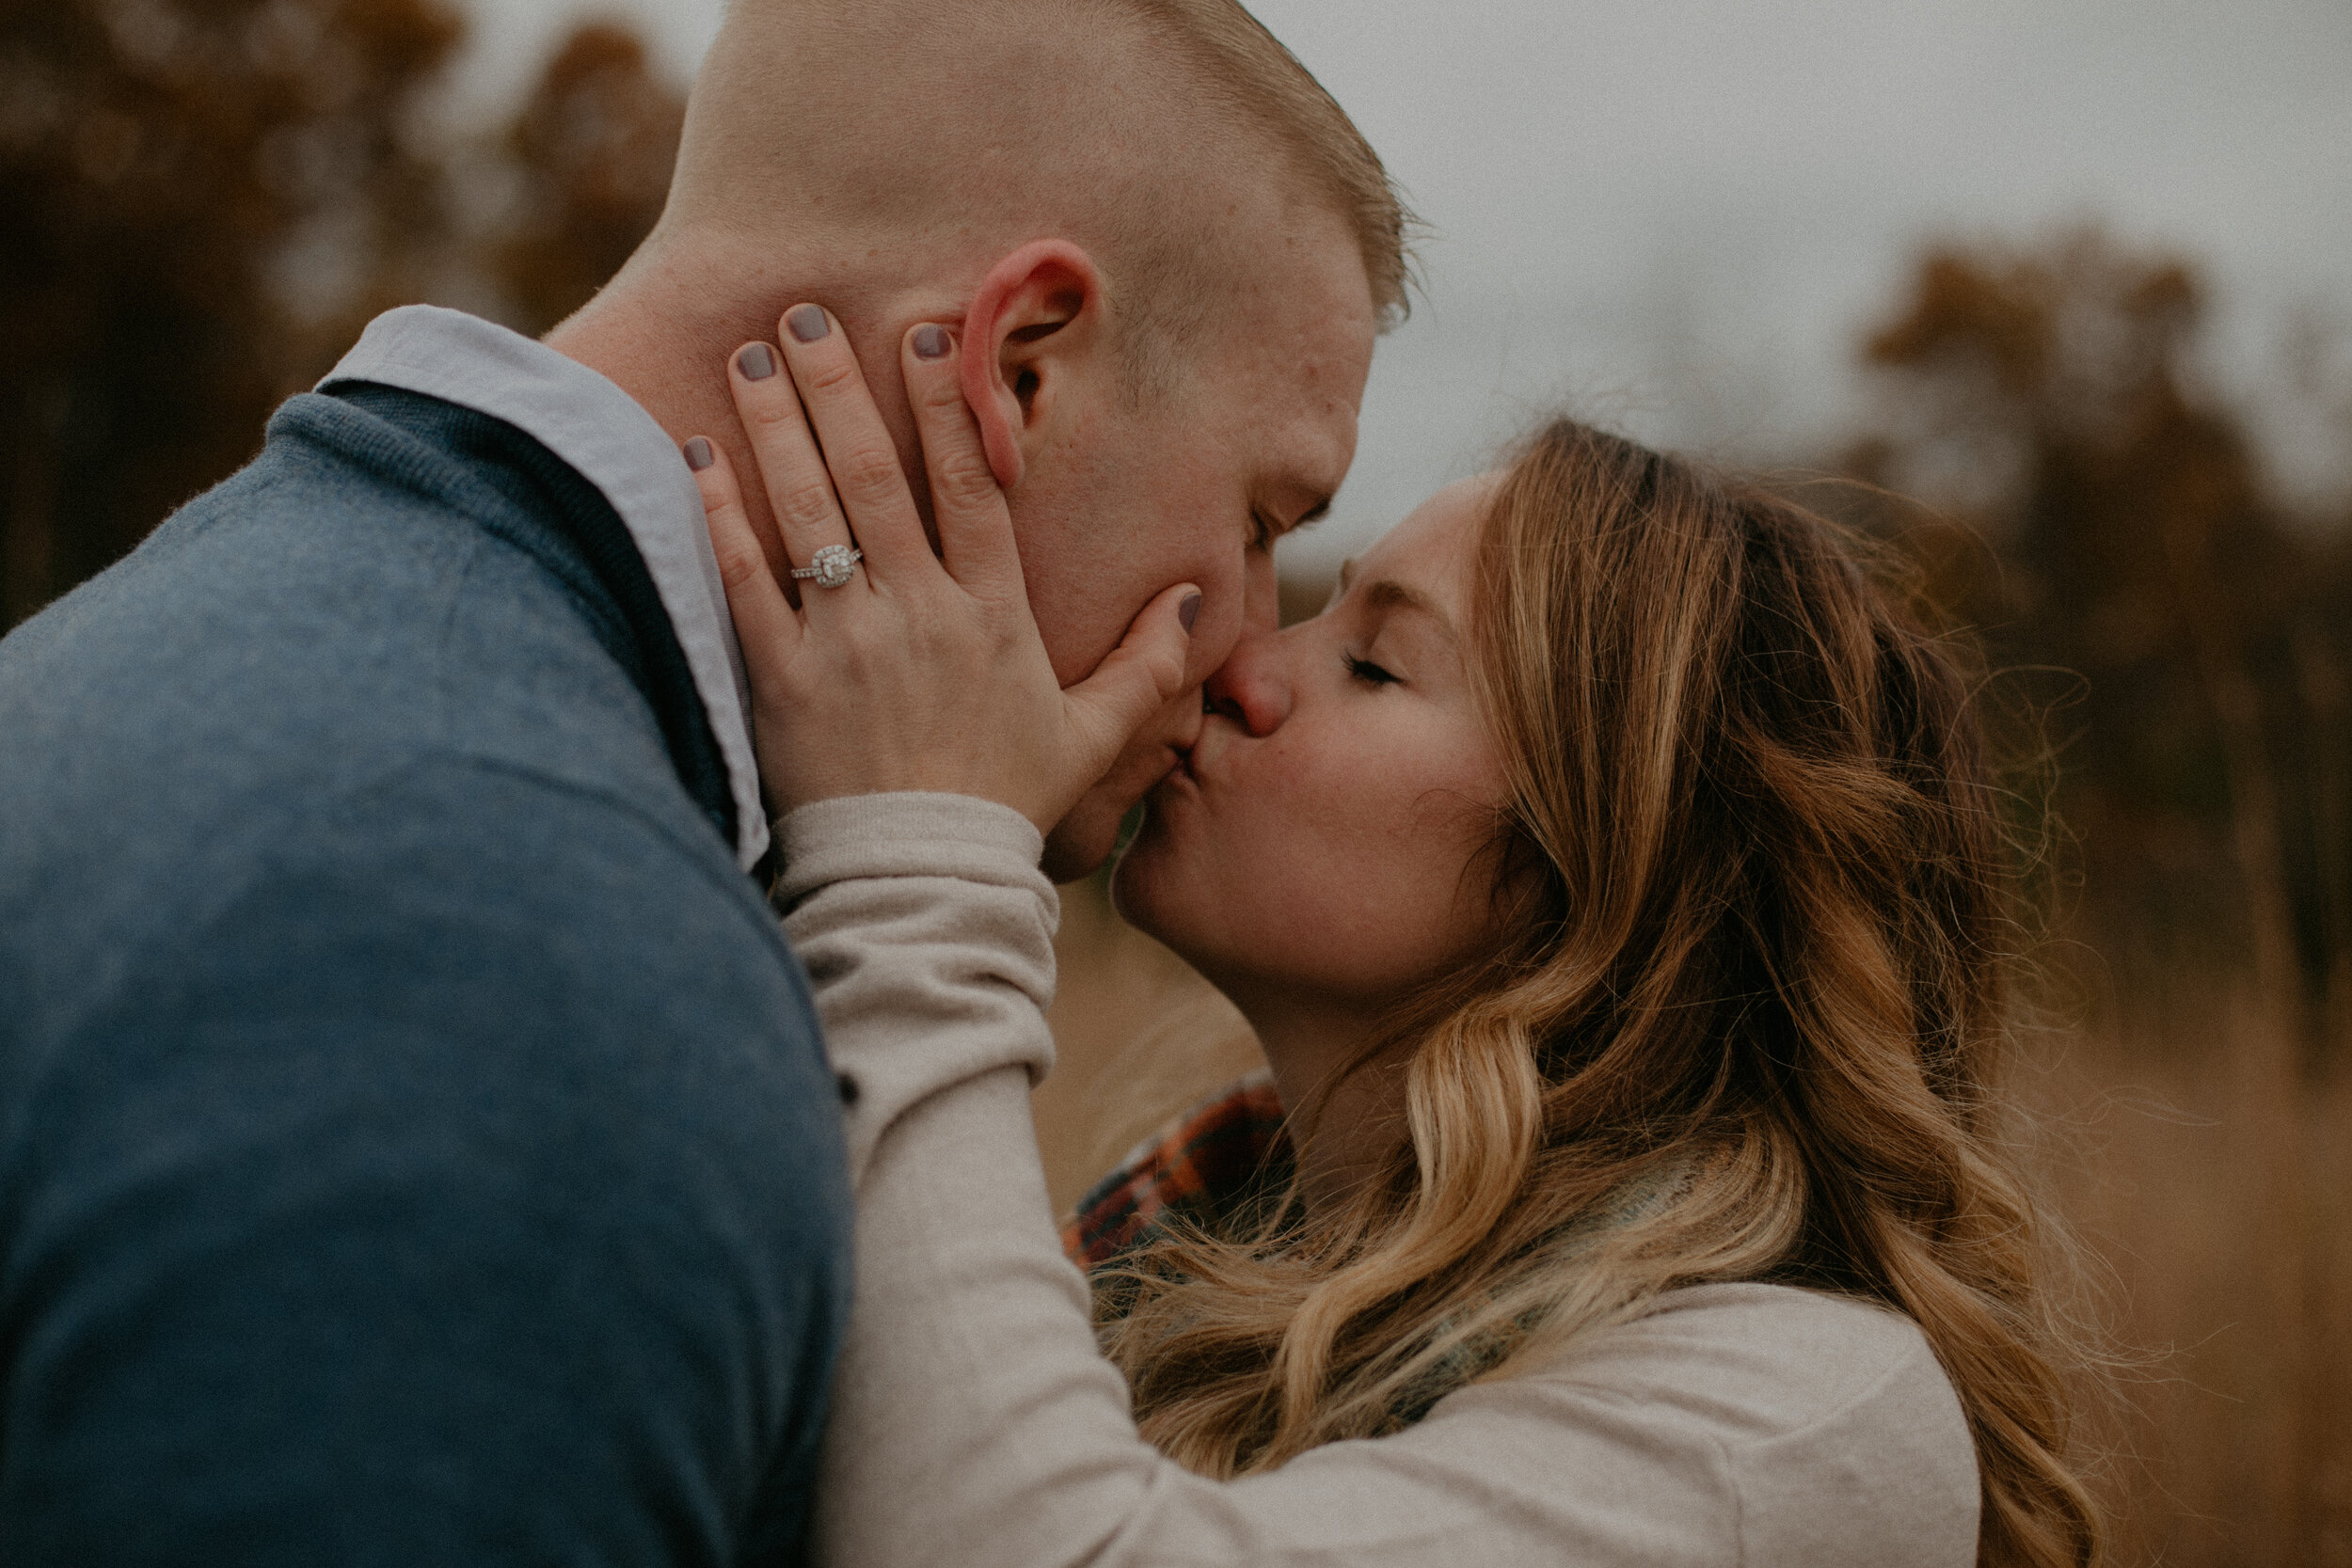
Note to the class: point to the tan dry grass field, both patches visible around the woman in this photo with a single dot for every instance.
(2181, 1137)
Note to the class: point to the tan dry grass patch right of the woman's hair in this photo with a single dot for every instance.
(2207, 1172)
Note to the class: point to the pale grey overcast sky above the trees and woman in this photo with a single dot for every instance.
(1681, 215)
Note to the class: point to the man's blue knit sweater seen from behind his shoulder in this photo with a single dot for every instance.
(415, 1139)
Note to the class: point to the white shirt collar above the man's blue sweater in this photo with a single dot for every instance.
(608, 436)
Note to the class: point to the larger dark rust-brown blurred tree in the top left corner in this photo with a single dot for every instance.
(156, 163)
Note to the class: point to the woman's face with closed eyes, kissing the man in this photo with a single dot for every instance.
(1318, 840)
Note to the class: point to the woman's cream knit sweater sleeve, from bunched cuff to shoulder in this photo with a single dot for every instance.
(977, 1426)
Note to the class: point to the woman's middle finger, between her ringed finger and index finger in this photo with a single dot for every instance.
(860, 450)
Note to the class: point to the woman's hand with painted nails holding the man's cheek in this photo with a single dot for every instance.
(923, 671)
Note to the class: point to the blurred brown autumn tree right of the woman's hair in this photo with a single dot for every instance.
(2111, 528)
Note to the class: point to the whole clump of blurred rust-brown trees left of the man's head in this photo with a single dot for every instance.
(206, 199)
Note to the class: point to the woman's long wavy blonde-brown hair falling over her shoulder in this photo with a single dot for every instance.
(1739, 1024)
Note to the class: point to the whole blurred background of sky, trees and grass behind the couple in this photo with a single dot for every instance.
(2073, 276)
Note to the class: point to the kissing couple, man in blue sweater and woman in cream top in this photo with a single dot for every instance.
(526, 918)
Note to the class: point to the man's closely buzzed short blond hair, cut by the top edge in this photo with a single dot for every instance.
(907, 130)
